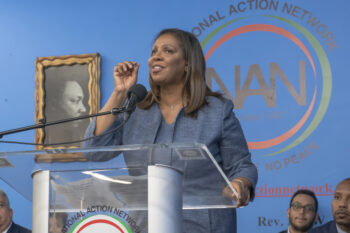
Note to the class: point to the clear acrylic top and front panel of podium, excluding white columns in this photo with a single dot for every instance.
(111, 185)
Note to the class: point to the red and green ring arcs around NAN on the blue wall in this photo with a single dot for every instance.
(313, 115)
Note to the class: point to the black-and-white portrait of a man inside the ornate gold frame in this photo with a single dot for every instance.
(66, 95)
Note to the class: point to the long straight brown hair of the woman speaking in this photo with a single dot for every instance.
(195, 88)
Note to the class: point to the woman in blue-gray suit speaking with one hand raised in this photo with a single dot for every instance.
(180, 108)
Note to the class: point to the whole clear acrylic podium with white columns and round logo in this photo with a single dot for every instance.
(134, 188)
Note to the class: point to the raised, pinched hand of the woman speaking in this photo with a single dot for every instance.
(125, 75)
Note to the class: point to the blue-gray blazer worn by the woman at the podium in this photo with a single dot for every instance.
(215, 126)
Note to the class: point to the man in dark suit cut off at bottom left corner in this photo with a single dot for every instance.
(6, 223)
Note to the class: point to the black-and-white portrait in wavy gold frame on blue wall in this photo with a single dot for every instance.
(65, 87)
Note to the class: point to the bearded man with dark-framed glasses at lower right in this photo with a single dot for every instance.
(302, 211)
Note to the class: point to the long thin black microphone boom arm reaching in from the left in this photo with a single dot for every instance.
(43, 123)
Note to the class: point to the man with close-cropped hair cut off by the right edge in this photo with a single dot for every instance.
(340, 211)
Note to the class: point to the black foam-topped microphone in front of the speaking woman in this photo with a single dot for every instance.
(135, 95)
